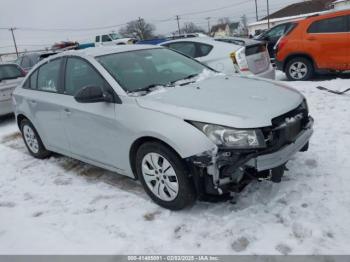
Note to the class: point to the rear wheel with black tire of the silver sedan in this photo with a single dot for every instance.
(33, 141)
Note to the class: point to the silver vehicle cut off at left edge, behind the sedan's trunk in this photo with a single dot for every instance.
(11, 75)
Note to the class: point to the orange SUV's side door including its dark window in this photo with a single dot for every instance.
(327, 40)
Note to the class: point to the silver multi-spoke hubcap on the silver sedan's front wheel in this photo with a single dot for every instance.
(160, 176)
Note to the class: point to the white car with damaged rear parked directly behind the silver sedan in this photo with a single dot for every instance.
(227, 55)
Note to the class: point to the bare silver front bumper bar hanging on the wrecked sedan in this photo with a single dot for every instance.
(276, 159)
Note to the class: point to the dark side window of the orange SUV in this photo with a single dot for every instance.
(331, 25)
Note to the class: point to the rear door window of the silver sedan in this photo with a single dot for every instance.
(49, 74)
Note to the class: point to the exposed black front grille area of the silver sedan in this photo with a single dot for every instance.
(286, 128)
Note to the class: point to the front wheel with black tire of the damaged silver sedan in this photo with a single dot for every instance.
(164, 176)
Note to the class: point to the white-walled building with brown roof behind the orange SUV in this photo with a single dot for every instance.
(294, 12)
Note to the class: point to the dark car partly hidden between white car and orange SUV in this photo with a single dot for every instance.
(273, 35)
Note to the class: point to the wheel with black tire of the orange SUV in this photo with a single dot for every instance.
(299, 69)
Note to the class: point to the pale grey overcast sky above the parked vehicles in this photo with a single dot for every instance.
(83, 14)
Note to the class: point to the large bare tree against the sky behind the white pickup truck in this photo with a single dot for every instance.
(139, 29)
